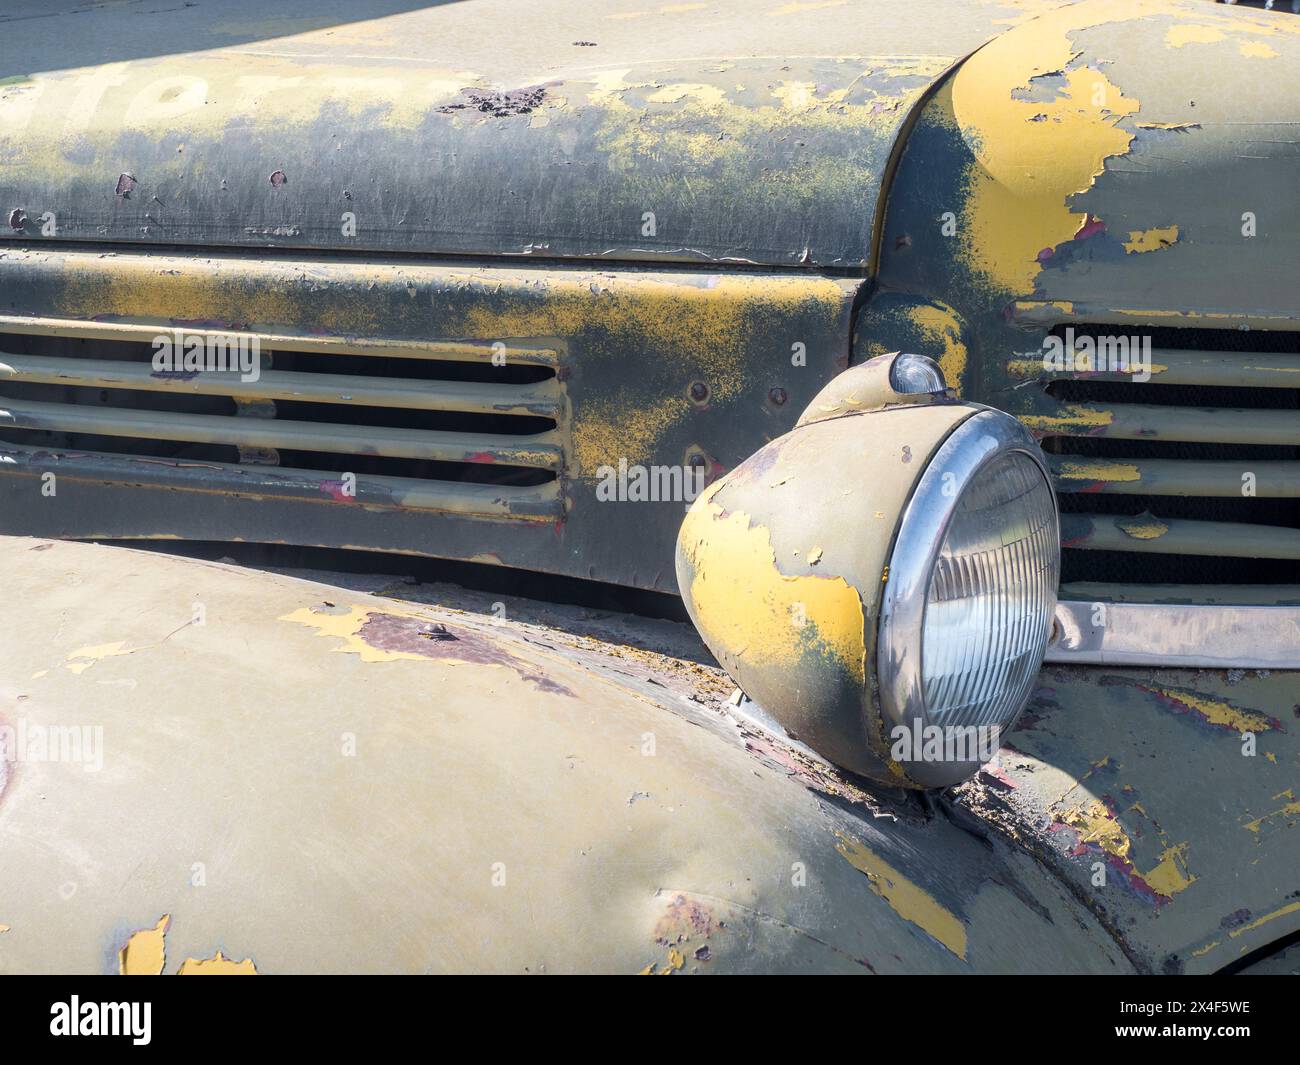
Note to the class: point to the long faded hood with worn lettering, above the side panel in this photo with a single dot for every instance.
(688, 132)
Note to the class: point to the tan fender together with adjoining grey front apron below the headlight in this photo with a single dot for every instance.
(450, 782)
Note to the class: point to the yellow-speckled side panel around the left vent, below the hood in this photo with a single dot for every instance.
(629, 348)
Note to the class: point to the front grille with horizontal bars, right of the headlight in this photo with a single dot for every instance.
(1191, 478)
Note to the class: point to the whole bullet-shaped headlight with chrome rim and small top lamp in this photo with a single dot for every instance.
(882, 579)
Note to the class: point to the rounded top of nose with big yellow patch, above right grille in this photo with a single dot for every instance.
(1067, 140)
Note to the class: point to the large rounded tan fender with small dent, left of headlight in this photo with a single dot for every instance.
(519, 799)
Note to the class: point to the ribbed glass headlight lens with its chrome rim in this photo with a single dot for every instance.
(969, 599)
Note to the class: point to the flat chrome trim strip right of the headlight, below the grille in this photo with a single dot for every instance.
(1238, 638)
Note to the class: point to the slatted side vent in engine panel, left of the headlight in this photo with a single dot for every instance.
(469, 427)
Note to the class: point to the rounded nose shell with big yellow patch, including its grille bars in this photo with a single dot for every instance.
(1080, 172)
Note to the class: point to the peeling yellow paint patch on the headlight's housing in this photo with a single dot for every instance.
(743, 600)
